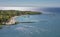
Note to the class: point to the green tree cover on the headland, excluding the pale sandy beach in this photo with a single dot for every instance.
(5, 15)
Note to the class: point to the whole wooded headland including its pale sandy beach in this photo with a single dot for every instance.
(8, 16)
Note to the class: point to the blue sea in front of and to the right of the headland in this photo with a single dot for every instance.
(47, 25)
